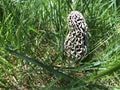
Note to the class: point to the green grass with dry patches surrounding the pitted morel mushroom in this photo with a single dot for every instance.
(32, 34)
